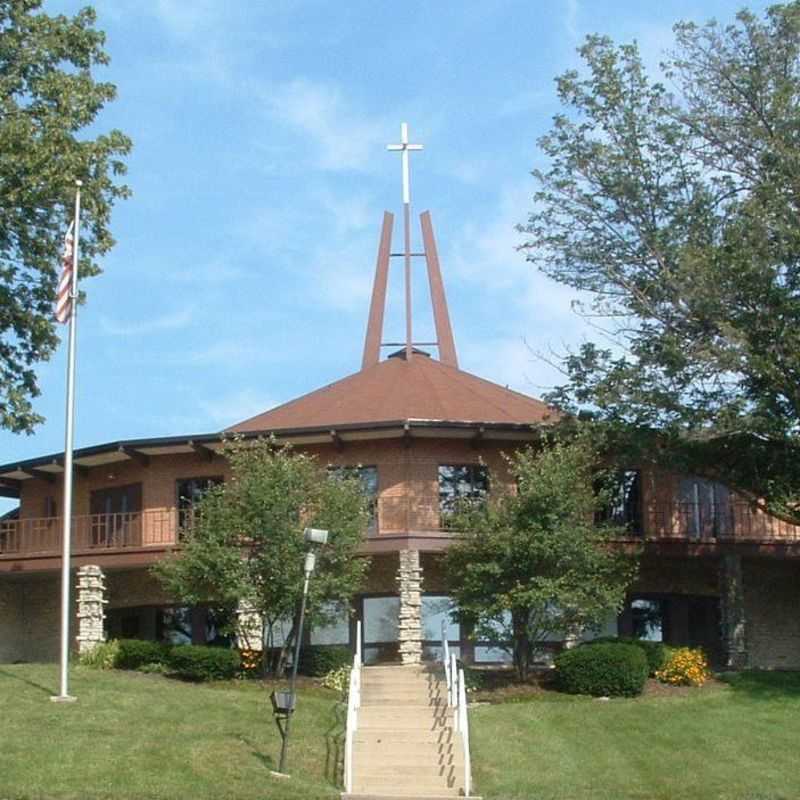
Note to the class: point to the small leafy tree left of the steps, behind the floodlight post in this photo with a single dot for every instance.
(243, 547)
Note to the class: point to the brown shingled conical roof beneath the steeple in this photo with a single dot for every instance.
(398, 390)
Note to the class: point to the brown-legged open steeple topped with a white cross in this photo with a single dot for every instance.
(444, 332)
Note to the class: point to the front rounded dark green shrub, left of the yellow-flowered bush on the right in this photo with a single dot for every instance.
(608, 669)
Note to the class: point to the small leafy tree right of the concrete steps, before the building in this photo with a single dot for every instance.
(536, 562)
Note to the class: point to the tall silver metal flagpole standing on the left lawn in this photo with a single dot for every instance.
(63, 695)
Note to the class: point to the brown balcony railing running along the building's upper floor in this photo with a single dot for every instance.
(157, 528)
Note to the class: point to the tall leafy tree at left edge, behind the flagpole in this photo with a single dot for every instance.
(47, 98)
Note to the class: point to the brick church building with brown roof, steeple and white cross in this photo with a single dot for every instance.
(421, 433)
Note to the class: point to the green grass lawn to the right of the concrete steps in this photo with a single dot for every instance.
(736, 742)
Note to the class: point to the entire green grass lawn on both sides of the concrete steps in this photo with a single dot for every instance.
(142, 737)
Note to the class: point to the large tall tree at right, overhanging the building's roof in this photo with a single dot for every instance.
(678, 212)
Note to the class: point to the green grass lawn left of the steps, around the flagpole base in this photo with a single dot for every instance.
(145, 737)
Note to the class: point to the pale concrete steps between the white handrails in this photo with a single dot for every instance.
(405, 745)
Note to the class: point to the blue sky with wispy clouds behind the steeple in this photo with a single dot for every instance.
(245, 256)
